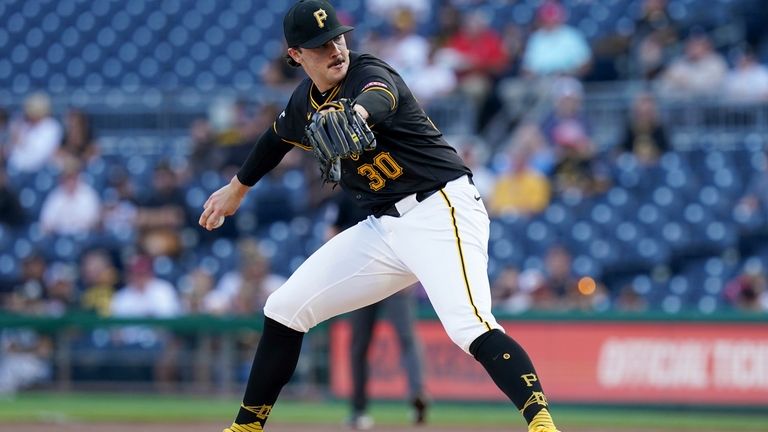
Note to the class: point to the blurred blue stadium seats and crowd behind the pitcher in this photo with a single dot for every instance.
(619, 146)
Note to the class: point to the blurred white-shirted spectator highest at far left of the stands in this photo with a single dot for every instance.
(34, 139)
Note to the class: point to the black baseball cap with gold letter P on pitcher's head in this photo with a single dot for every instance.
(311, 23)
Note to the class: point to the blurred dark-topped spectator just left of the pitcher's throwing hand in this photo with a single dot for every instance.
(161, 213)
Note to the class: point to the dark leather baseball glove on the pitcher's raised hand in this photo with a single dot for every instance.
(337, 132)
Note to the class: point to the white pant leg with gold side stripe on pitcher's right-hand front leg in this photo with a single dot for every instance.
(453, 227)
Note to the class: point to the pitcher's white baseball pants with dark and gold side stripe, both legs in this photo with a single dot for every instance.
(441, 242)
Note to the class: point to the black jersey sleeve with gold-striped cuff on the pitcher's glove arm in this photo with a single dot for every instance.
(375, 90)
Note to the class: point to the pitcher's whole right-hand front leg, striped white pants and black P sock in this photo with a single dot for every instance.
(456, 281)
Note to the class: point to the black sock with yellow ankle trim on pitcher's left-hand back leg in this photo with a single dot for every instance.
(274, 364)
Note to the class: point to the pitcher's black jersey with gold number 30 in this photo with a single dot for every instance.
(411, 155)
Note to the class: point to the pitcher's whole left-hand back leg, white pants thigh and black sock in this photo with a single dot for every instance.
(339, 277)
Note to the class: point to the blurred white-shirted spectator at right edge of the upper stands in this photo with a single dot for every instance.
(747, 81)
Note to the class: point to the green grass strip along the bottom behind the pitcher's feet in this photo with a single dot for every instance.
(153, 408)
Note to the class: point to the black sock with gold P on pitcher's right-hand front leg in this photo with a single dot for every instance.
(512, 370)
